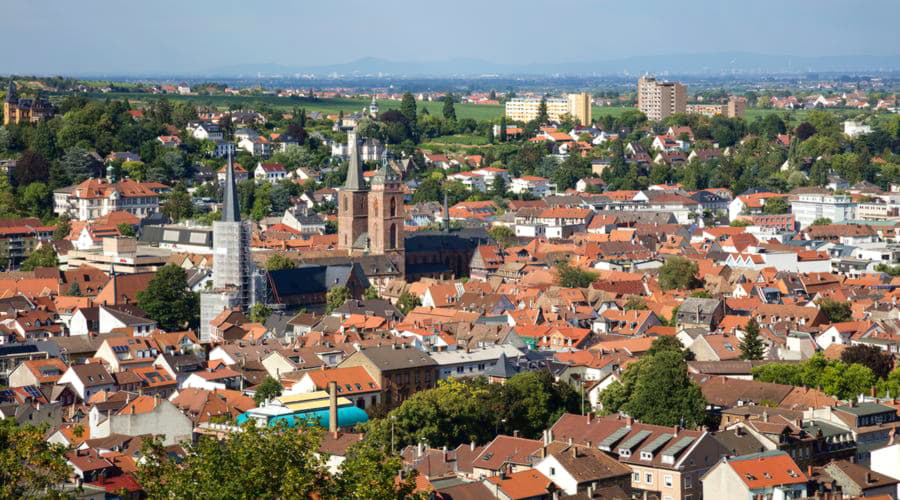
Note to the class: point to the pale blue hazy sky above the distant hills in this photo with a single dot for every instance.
(113, 36)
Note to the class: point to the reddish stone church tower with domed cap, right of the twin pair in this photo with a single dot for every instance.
(386, 216)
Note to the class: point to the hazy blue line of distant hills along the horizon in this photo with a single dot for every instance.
(687, 64)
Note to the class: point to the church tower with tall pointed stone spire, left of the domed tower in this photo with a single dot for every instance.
(352, 203)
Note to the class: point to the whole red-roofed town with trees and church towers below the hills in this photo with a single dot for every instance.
(633, 288)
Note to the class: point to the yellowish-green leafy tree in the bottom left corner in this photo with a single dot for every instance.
(30, 467)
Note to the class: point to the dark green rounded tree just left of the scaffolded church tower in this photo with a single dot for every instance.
(168, 301)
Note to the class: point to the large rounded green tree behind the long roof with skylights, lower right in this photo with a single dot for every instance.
(657, 390)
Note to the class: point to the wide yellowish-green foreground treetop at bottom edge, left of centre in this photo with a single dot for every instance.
(259, 462)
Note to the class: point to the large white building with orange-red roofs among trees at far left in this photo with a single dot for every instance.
(96, 198)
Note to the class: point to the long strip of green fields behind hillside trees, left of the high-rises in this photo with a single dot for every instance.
(328, 106)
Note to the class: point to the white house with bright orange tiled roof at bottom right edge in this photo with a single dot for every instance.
(771, 474)
